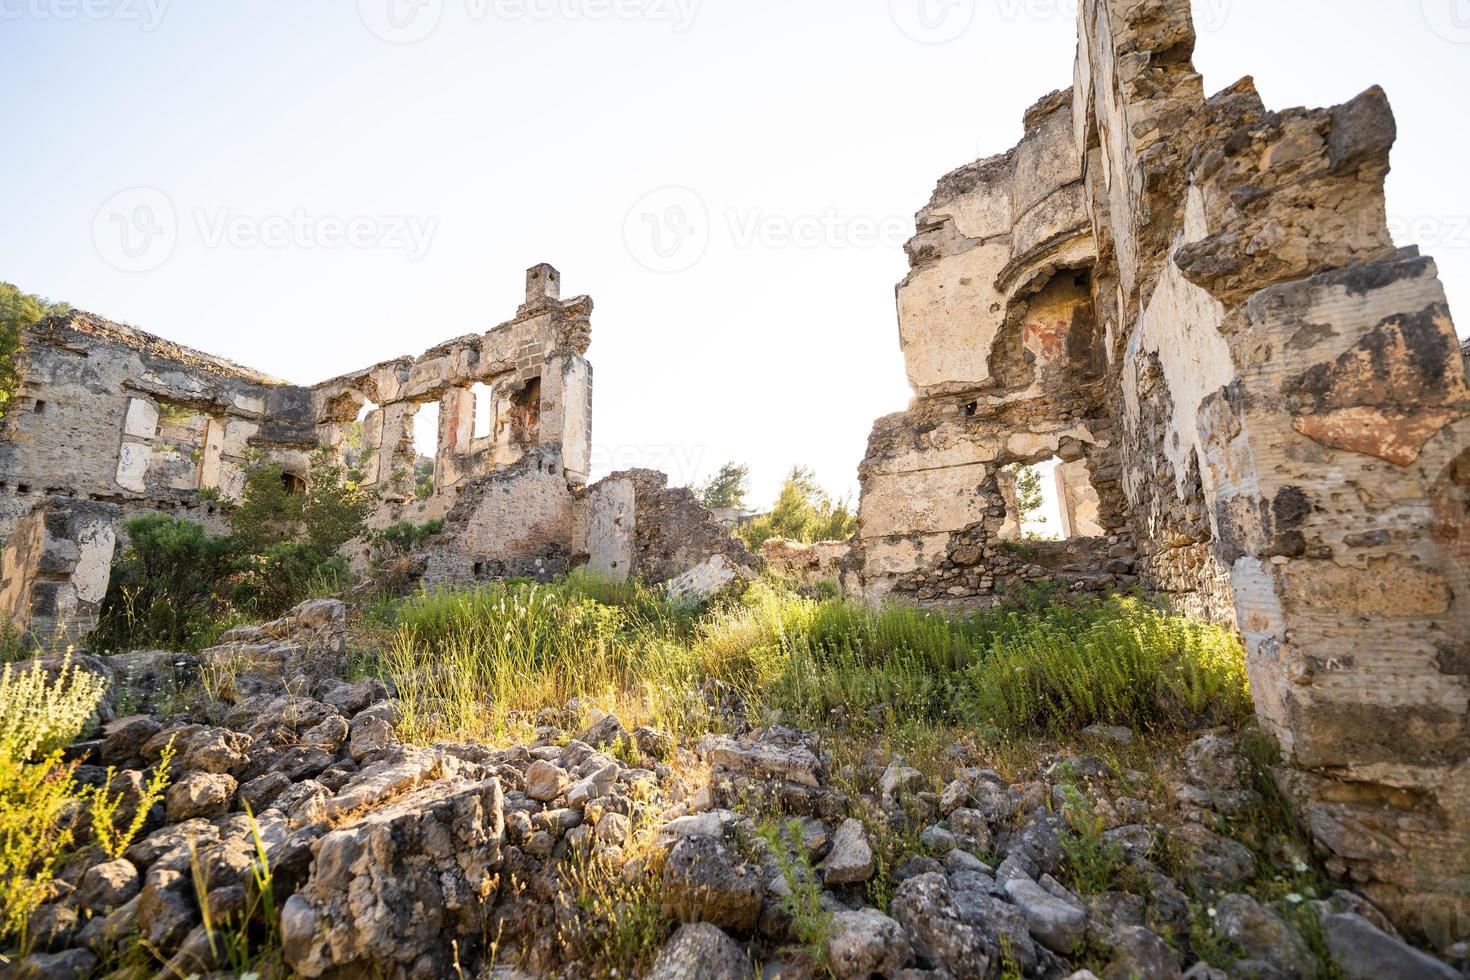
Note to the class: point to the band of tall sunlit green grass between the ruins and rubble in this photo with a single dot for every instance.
(484, 662)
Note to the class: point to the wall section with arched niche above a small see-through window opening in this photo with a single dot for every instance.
(1008, 359)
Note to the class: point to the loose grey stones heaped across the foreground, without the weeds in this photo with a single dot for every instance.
(398, 860)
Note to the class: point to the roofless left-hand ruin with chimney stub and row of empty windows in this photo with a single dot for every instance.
(111, 422)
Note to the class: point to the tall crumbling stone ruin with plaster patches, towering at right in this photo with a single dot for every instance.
(1197, 306)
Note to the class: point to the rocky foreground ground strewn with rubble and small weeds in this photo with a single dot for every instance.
(302, 837)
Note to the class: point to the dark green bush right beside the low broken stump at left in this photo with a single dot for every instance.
(165, 588)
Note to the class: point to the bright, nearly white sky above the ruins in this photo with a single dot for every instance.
(315, 187)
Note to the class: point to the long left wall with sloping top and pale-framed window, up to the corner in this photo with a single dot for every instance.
(107, 412)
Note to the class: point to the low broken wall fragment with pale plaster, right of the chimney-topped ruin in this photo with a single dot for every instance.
(637, 527)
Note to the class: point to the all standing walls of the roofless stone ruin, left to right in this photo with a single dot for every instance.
(1258, 403)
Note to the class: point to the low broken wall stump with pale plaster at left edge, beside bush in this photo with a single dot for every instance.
(54, 575)
